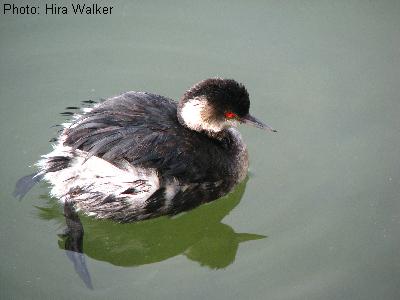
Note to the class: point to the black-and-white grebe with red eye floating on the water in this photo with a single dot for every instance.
(139, 155)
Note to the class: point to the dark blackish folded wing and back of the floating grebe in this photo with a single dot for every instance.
(143, 130)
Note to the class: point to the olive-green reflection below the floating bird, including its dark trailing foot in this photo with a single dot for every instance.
(199, 234)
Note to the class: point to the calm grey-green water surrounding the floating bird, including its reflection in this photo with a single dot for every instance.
(319, 216)
